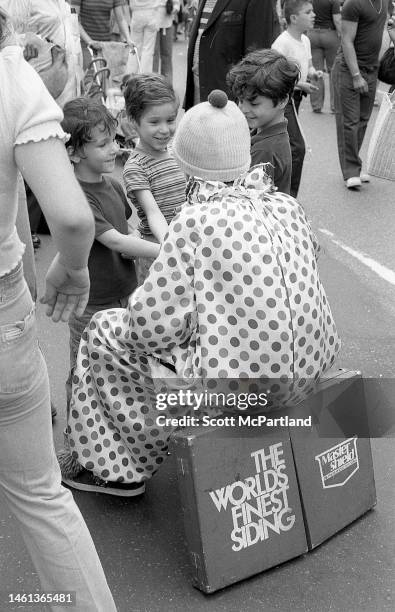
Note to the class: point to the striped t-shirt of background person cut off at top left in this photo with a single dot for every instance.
(95, 16)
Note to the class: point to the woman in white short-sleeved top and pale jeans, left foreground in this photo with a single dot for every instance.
(31, 140)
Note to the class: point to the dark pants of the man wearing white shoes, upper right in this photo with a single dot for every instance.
(353, 110)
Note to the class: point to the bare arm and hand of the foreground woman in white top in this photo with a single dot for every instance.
(46, 168)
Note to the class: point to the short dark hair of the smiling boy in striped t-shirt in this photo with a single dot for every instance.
(144, 90)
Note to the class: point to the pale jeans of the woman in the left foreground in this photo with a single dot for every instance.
(53, 529)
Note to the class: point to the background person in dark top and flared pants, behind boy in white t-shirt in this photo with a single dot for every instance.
(324, 40)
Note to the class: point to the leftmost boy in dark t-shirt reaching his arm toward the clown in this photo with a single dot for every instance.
(92, 150)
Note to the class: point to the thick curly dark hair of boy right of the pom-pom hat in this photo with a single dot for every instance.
(263, 73)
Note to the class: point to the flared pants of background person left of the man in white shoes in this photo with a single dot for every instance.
(324, 45)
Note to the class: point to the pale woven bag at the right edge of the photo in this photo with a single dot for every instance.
(381, 150)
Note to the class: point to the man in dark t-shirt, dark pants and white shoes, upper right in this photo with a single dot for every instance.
(354, 81)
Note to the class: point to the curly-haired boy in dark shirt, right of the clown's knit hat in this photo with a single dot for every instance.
(262, 82)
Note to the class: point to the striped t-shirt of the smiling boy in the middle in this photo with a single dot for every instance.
(162, 177)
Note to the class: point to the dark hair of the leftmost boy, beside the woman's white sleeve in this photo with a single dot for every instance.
(83, 114)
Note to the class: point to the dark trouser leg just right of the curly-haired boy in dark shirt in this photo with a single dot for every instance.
(296, 141)
